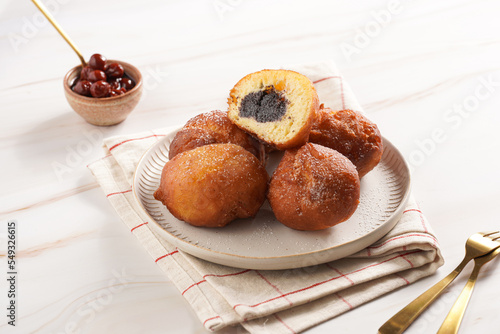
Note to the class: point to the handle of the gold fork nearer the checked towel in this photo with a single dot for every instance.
(401, 320)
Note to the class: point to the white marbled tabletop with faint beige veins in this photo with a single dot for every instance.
(426, 72)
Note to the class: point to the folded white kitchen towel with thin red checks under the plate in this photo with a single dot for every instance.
(284, 301)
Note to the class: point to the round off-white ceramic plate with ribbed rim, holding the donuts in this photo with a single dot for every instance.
(264, 243)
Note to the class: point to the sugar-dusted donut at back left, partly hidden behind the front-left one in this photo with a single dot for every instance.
(210, 128)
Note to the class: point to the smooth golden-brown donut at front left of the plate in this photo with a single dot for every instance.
(212, 185)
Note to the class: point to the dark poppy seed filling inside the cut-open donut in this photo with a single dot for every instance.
(264, 106)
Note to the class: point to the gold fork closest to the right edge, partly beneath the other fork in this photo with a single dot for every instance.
(454, 318)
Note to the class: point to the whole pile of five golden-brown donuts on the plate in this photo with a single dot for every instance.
(216, 170)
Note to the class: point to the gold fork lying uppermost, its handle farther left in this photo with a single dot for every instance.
(477, 245)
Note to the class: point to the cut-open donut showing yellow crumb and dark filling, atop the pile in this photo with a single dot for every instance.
(276, 106)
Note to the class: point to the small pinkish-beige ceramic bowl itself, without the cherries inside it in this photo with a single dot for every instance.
(104, 111)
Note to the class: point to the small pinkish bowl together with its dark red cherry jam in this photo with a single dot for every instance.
(97, 103)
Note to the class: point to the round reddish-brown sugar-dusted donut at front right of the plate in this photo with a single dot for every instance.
(313, 188)
